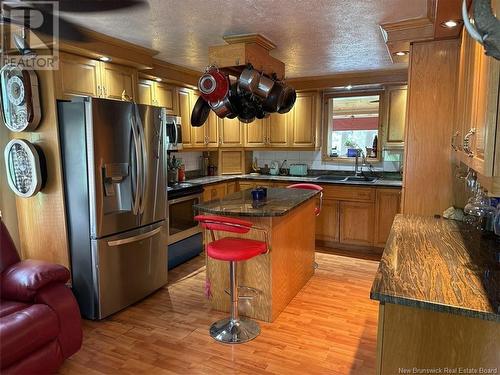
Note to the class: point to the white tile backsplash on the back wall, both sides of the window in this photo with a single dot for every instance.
(392, 160)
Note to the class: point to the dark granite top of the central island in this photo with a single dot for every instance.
(279, 202)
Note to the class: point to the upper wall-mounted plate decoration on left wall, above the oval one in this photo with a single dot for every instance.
(20, 98)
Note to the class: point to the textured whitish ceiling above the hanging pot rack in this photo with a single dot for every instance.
(315, 37)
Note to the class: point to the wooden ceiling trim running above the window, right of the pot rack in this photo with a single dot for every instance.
(353, 78)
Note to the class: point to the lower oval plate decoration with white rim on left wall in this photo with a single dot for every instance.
(24, 172)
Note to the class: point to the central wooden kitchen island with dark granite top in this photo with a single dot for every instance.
(272, 279)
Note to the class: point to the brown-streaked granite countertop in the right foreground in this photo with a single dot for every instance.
(442, 265)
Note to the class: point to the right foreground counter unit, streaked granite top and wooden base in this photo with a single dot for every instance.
(438, 284)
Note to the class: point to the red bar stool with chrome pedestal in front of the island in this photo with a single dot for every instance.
(233, 330)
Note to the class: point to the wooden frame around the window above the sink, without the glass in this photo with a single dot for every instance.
(327, 95)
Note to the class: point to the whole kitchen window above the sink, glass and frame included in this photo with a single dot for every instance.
(352, 126)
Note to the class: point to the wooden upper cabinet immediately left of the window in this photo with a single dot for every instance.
(304, 120)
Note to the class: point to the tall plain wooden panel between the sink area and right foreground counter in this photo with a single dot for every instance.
(428, 175)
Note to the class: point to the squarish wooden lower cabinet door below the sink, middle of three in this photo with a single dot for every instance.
(357, 222)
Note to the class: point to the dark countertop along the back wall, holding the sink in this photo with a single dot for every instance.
(214, 179)
